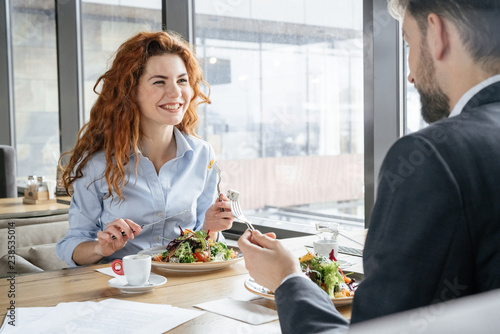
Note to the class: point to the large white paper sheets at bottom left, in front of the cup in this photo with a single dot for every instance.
(109, 316)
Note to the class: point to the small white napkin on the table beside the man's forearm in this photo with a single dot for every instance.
(240, 310)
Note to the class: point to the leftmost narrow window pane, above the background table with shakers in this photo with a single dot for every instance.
(36, 116)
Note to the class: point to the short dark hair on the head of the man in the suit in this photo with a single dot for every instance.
(478, 22)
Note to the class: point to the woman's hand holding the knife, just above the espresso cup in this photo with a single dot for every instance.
(112, 239)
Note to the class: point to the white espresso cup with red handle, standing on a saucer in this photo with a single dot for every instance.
(136, 268)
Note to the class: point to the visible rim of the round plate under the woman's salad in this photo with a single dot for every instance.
(189, 267)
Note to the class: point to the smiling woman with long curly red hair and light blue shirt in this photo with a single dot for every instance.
(140, 150)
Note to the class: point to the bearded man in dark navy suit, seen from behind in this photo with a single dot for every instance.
(435, 227)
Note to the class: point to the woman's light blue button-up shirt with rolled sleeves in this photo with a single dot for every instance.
(183, 183)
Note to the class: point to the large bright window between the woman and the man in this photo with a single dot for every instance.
(286, 118)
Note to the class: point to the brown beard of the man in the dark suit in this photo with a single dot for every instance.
(435, 104)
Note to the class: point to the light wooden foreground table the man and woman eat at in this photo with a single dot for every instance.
(181, 290)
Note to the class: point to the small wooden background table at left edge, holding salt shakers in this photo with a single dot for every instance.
(15, 208)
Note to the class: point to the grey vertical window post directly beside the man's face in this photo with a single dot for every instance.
(383, 72)
